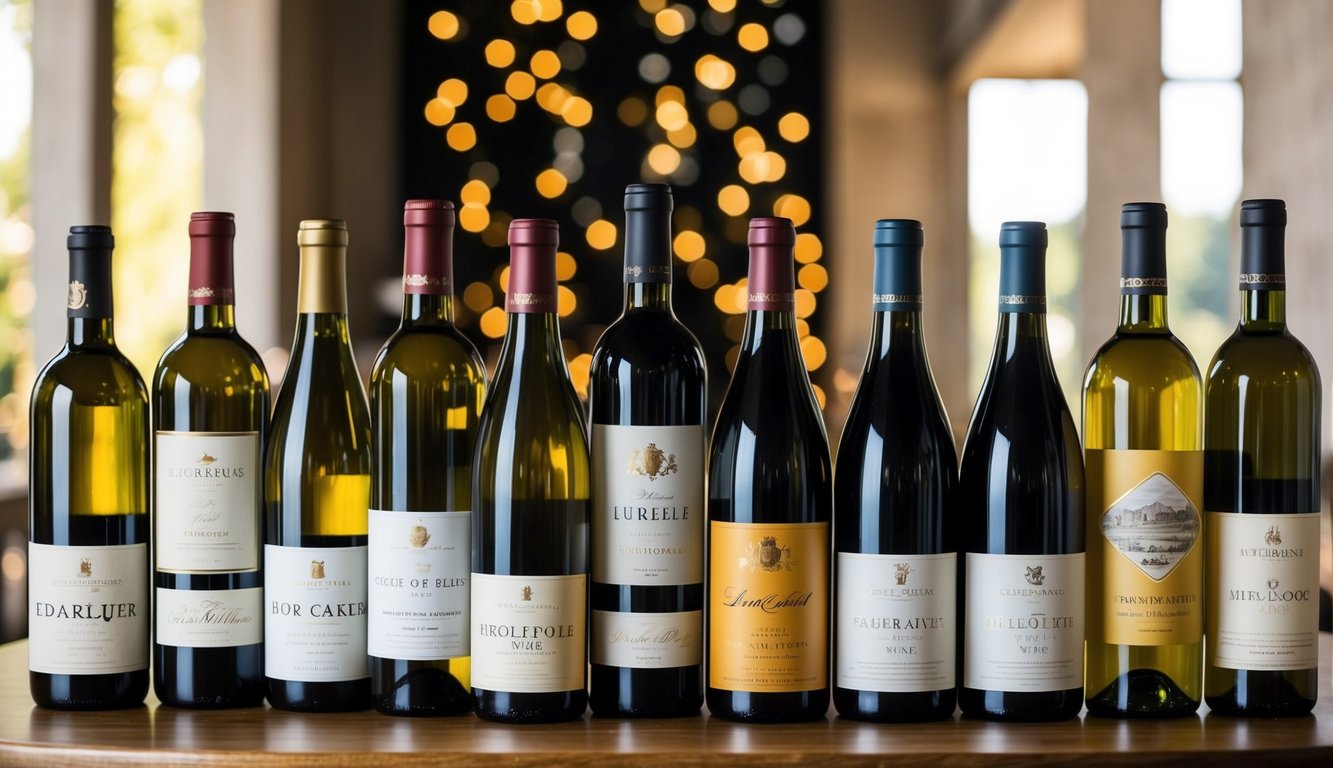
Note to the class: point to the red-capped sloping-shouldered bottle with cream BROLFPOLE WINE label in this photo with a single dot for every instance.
(531, 490)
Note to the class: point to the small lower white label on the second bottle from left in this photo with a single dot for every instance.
(210, 618)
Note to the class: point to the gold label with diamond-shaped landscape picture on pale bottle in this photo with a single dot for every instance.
(1146, 547)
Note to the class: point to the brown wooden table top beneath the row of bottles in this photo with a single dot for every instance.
(157, 735)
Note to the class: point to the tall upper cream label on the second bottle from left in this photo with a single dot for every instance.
(207, 502)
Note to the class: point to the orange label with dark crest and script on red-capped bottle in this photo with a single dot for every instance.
(768, 607)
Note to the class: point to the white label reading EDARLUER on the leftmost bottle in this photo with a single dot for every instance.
(89, 609)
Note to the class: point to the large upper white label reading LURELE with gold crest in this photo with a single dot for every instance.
(649, 505)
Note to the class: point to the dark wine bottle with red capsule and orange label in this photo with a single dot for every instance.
(770, 503)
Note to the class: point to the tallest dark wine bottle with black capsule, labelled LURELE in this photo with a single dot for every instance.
(647, 401)
